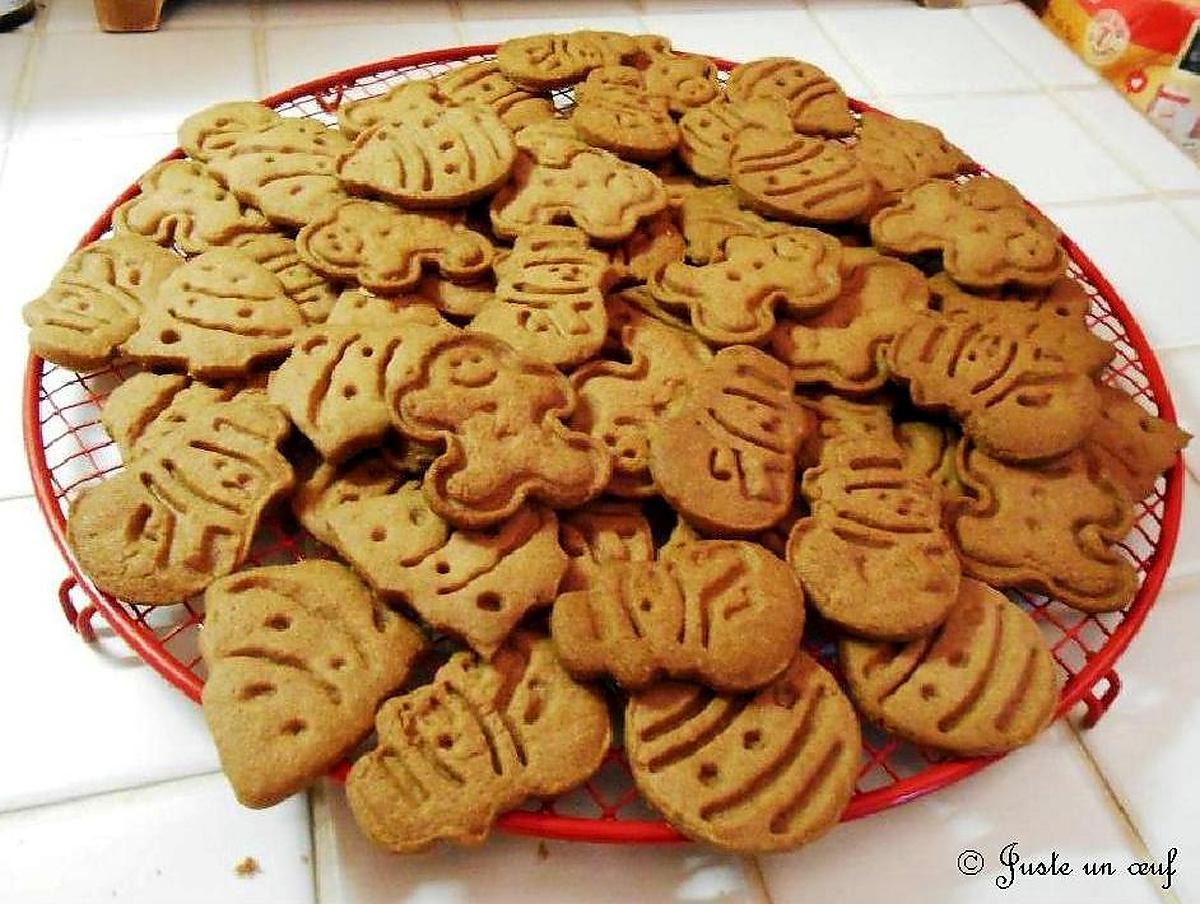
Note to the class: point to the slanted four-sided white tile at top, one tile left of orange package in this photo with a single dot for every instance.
(956, 55)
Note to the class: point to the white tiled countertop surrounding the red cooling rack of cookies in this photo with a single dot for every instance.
(82, 113)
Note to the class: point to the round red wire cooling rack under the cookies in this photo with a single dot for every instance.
(68, 448)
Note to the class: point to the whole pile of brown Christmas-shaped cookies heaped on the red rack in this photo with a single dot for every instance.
(617, 400)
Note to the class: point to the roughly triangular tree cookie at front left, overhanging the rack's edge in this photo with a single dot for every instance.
(298, 660)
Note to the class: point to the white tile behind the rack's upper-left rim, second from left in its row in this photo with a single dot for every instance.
(299, 55)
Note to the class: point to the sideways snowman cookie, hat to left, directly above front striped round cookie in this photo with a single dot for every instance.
(723, 613)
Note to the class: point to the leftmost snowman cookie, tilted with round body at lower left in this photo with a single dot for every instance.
(184, 514)
